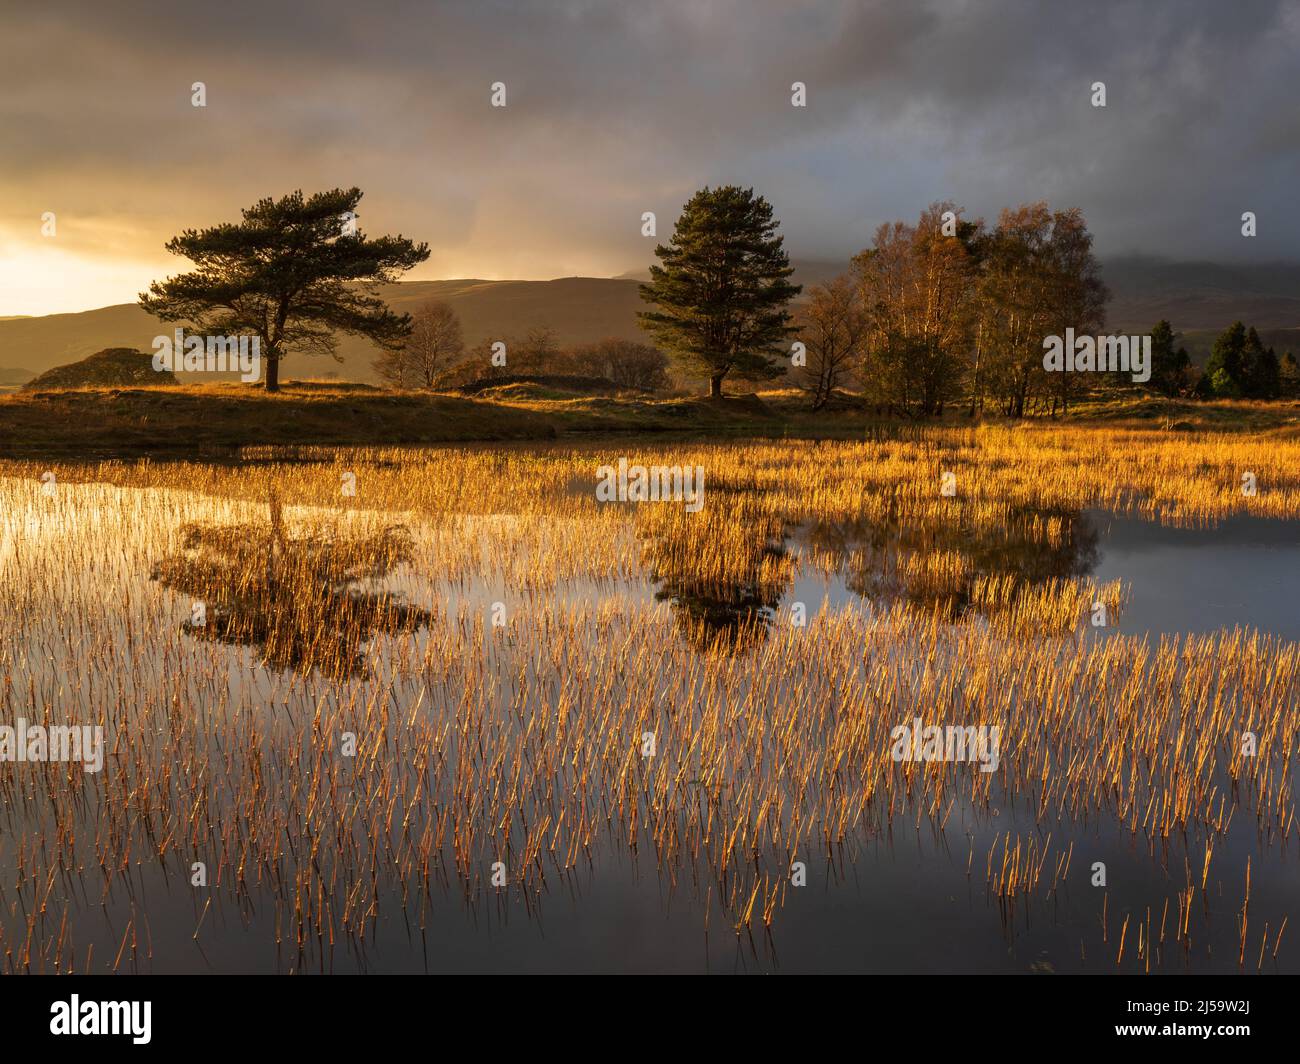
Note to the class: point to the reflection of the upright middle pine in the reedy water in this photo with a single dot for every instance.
(722, 572)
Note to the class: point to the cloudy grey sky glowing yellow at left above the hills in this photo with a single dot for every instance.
(619, 109)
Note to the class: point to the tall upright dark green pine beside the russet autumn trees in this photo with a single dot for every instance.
(722, 289)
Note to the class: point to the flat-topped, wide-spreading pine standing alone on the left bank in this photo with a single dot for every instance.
(293, 274)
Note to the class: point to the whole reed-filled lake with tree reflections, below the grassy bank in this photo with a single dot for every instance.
(471, 720)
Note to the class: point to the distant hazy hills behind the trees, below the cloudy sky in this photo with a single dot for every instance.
(1198, 299)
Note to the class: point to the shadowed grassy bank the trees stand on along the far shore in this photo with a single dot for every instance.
(220, 418)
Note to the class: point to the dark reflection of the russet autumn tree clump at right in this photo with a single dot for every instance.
(935, 564)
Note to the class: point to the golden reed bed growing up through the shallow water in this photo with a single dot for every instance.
(500, 647)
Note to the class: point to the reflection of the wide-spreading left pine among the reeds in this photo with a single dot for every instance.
(304, 602)
